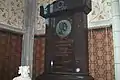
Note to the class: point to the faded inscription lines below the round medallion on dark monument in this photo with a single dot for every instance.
(63, 55)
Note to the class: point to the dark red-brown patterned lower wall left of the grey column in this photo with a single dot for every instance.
(10, 54)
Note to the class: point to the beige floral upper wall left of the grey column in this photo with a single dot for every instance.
(12, 12)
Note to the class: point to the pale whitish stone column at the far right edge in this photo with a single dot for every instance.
(116, 36)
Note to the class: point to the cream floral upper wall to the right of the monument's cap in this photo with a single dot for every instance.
(101, 10)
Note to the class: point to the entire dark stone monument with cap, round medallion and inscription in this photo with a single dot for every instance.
(66, 52)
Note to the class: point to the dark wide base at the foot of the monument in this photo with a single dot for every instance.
(64, 76)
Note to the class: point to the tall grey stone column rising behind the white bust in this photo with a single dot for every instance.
(28, 37)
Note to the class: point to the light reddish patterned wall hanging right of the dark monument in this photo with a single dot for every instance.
(101, 57)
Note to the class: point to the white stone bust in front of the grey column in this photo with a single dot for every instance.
(24, 73)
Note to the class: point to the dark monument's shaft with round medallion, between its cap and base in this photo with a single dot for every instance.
(66, 44)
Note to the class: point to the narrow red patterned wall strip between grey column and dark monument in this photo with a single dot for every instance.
(38, 62)
